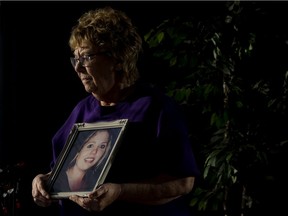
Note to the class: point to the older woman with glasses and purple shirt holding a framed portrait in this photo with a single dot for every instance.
(155, 167)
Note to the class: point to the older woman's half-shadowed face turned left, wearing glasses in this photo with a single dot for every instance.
(98, 77)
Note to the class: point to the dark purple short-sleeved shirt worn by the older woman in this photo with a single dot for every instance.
(155, 142)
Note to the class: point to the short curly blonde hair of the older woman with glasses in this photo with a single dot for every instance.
(113, 31)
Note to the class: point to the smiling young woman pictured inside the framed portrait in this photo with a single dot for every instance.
(82, 171)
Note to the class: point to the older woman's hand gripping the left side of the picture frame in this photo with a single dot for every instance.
(40, 196)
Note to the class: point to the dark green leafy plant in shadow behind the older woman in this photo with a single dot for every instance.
(232, 104)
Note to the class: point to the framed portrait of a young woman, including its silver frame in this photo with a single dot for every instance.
(86, 158)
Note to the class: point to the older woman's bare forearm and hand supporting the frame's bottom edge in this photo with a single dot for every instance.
(160, 191)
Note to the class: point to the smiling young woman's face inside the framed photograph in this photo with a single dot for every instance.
(93, 150)
